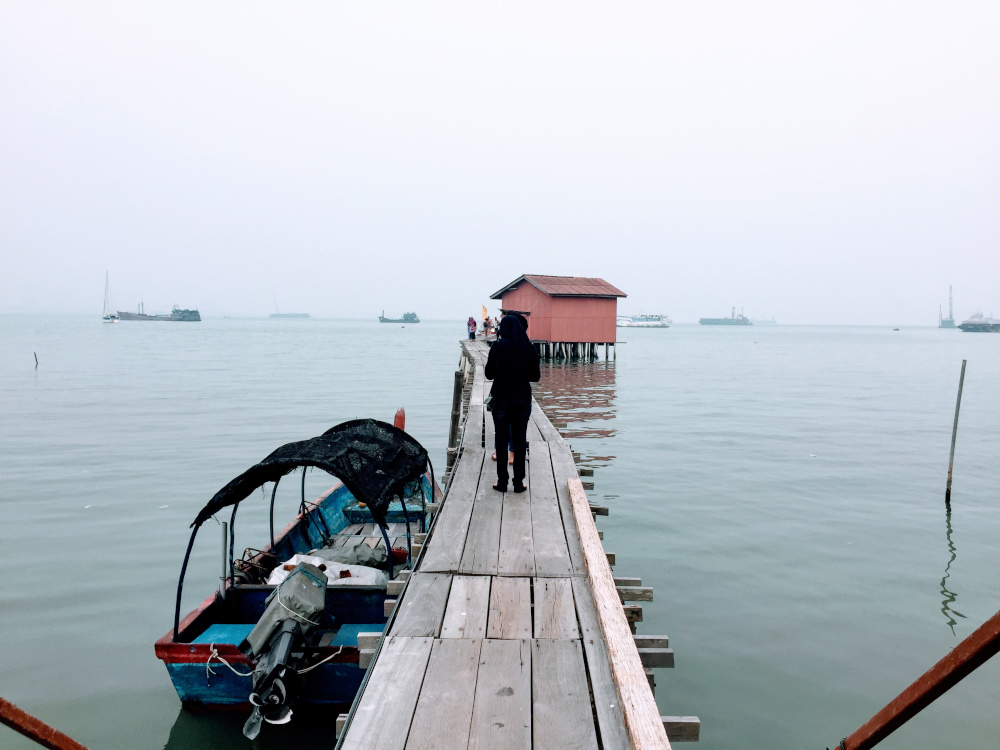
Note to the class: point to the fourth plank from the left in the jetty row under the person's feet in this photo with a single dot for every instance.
(548, 536)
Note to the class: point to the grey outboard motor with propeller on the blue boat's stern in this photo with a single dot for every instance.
(293, 610)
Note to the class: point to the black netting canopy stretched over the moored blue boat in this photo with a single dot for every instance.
(374, 460)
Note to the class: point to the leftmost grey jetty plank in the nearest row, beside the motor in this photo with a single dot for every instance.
(382, 717)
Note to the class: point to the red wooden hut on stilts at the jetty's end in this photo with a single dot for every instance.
(568, 315)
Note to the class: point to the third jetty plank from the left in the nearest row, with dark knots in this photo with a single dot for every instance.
(501, 715)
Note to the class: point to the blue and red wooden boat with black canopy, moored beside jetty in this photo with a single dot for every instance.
(285, 624)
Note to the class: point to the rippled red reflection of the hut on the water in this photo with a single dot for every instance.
(579, 398)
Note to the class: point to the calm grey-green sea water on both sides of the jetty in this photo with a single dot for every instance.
(781, 488)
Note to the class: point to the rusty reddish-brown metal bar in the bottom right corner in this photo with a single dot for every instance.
(960, 662)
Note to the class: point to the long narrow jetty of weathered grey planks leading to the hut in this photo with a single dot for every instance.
(511, 631)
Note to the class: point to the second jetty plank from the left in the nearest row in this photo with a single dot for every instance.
(444, 711)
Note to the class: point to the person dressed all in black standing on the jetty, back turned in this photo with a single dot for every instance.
(513, 367)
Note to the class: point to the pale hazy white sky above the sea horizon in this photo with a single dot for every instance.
(819, 162)
